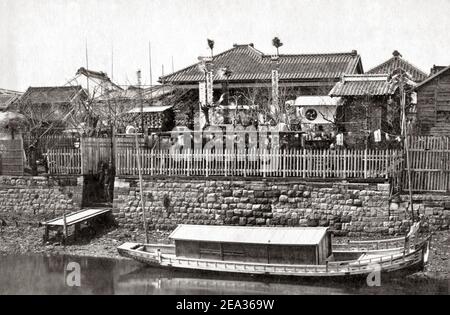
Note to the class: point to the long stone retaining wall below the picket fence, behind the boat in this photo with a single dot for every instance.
(348, 208)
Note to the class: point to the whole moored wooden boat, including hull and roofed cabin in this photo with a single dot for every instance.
(280, 251)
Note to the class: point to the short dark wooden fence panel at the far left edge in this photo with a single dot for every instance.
(11, 157)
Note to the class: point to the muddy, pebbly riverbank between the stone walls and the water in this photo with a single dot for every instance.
(26, 238)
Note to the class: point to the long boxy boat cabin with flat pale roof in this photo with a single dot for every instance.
(272, 245)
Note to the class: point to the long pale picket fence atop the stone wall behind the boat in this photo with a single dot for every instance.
(281, 163)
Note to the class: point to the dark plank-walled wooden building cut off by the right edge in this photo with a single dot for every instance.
(433, 104)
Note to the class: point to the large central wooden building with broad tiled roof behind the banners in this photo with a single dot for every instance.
(243, 76)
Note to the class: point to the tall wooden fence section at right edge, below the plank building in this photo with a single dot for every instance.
(430, 164)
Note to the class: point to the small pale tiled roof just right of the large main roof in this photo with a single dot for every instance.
(364, 84)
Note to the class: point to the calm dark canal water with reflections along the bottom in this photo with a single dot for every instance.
(41, 274)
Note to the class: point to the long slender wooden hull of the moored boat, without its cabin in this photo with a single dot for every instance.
(394, 265)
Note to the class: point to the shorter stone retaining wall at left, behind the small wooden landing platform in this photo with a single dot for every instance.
(39, 195)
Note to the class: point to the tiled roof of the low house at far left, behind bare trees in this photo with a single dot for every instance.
(56, 94)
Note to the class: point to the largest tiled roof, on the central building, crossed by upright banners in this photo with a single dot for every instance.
(248, 64)
